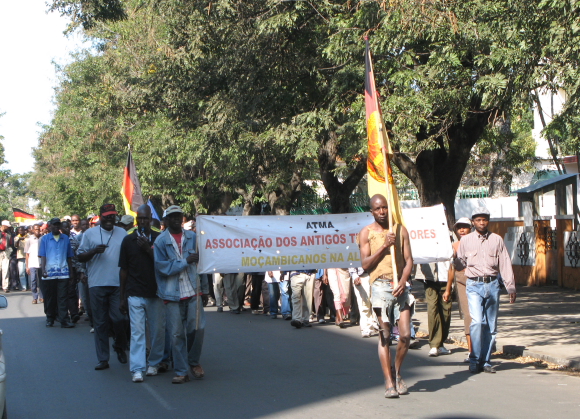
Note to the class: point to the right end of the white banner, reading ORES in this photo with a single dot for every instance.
(429, 234)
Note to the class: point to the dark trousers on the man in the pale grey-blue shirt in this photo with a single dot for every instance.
(105, 307)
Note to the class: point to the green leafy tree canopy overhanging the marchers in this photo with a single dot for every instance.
(245, 100)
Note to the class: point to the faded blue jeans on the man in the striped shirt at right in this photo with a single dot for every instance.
(483, 300)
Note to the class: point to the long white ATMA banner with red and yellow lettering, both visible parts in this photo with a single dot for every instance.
(298, 242)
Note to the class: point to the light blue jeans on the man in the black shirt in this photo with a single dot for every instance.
(144, 311)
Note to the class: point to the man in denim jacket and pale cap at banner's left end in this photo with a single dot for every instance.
(180, 288)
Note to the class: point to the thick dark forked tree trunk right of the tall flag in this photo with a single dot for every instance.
(437, 172)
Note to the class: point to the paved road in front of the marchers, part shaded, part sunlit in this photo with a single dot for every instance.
(262, 368)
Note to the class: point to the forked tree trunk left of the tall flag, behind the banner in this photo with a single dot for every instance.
(338, 192)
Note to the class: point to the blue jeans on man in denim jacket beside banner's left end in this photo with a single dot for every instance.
(186, 341)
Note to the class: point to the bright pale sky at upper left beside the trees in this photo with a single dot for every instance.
(30, 40)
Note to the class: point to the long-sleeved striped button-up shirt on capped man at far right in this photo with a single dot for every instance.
(485, 255)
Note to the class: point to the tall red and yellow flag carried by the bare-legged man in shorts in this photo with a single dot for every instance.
(379, 146)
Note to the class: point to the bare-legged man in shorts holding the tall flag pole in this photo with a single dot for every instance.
(390, 304)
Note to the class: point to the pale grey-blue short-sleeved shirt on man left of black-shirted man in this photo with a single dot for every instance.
(103, 268)
